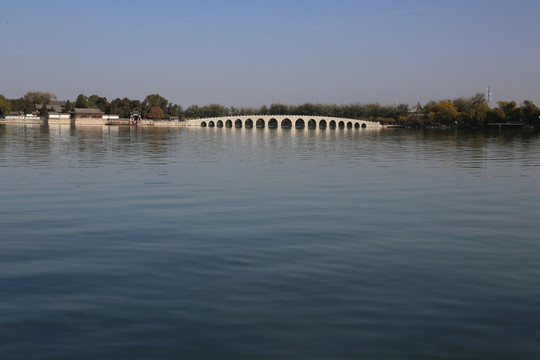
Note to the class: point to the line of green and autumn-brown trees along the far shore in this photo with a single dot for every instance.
(462, 111)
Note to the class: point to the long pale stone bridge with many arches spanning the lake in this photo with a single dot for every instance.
(284, 122)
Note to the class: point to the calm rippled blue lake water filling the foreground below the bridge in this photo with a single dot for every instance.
(124, 243)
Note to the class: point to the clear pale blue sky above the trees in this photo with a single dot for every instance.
(255, 52)
